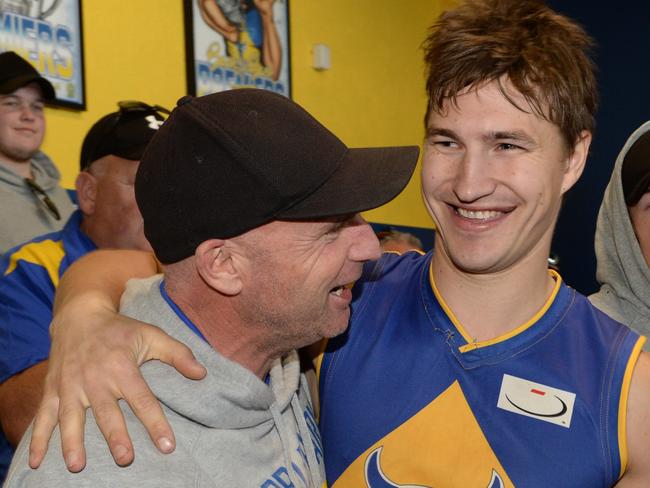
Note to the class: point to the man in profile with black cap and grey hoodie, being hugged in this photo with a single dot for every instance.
(247, 200)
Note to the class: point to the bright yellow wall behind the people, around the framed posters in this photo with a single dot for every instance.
(373, 94)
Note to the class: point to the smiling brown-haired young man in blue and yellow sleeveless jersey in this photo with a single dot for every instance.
(473, 365)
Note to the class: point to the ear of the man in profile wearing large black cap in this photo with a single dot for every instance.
(218, 267)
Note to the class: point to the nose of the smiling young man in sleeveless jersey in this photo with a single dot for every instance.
(474, 176)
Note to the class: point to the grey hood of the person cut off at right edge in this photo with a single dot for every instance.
(621, 270)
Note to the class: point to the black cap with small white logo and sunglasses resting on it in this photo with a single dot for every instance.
(124, 133)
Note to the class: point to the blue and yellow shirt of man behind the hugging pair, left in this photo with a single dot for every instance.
(29, 275)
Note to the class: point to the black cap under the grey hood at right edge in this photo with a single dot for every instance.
(635, 174)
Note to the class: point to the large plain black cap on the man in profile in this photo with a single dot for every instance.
(226, 163)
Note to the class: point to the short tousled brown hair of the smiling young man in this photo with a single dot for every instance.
(545, 55)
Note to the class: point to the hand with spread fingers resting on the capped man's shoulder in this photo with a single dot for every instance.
(98, 374)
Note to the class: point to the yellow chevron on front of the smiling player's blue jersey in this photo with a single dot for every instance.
(405, 455)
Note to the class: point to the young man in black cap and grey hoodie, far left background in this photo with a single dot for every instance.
(33, 202)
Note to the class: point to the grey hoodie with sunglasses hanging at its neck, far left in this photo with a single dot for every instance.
(22, 216)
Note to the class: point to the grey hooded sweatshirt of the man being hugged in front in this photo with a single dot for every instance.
(231, 428)
